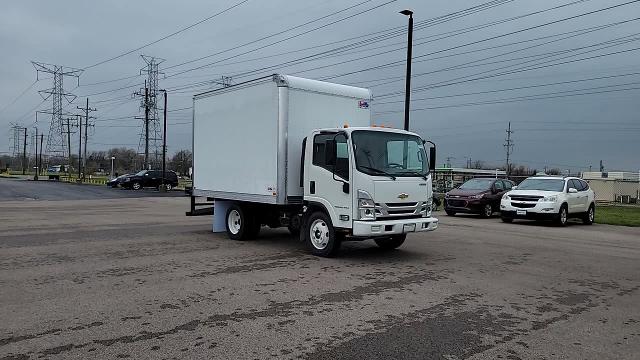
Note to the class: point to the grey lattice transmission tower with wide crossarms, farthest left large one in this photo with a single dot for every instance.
(56, 144)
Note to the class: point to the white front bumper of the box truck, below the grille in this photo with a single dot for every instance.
(391, 227)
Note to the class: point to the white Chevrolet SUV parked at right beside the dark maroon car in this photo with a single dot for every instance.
(549, 198)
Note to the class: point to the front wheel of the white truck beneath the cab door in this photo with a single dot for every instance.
(320, 235)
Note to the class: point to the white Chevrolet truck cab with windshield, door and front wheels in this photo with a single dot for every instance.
(362, 183)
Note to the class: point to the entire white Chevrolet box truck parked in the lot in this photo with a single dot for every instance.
(288, 151)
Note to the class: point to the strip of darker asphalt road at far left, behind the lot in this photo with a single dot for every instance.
(12, 189)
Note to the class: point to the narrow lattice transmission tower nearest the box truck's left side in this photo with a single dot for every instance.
(150, 143)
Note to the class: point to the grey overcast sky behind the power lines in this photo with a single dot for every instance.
(464, 93)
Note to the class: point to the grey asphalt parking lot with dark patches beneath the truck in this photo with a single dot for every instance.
(134, 278)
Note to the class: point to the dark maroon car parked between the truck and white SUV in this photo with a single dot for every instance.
(476, 196)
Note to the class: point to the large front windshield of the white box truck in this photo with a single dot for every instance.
(390, 153)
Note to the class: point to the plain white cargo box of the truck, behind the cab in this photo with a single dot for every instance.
(247, 138)
